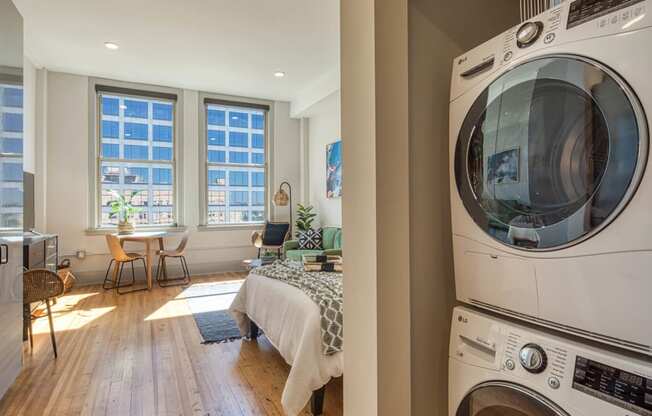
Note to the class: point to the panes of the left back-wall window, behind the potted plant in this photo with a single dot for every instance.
(137, 156)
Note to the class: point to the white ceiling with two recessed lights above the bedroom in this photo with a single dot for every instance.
(225, 46)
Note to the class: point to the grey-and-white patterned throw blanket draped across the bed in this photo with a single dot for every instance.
(324, 288)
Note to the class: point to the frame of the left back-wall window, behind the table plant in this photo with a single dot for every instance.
(131, 90)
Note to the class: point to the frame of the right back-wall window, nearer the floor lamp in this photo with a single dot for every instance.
(268, 117)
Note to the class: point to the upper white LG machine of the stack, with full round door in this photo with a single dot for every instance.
(551, 200)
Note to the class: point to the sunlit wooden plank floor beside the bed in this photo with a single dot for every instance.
(141, 354)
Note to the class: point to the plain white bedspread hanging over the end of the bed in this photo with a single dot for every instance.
(291, 321)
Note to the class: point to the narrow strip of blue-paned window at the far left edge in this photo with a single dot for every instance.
(11, 155)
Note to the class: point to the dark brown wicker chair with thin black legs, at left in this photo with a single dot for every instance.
(41, 285)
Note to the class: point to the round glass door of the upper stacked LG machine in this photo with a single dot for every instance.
(551, 152)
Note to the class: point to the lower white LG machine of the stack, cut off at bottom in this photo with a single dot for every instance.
(497, 368)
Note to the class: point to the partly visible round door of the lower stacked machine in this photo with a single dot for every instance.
(506, 399)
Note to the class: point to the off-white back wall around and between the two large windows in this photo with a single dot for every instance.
(66, 206)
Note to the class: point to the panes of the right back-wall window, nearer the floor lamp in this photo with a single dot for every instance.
(235, 163)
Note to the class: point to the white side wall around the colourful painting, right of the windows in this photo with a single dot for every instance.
(323, 121)
